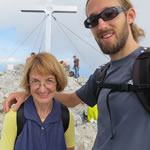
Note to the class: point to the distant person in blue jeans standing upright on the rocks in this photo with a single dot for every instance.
(76, 66)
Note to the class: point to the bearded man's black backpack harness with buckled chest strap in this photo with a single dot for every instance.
(140, 76)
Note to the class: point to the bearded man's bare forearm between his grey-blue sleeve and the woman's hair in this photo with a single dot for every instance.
(70, 100)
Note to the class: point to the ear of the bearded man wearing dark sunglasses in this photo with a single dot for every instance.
(131, 15)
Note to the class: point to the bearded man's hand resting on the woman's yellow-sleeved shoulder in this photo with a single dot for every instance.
(14, 98)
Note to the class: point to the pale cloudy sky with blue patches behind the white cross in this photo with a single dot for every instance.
(22, 33)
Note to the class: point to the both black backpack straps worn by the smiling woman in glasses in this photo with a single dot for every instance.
(21, 119)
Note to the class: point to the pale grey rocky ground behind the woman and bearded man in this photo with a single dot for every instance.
(85, 132)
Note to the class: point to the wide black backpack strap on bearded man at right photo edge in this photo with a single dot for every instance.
(141, 77)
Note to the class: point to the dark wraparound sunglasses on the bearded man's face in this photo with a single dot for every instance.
(106, 15)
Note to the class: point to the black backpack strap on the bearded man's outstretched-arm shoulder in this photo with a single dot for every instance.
(101, 76)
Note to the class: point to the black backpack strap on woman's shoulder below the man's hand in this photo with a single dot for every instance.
(20, 119)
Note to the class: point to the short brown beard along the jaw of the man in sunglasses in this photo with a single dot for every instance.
(116, 47)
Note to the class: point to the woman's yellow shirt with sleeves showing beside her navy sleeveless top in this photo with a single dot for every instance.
(9, 132)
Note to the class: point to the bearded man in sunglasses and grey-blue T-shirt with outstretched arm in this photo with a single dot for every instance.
(123, 123)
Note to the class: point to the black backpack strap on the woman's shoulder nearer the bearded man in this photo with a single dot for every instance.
(65, 117)
